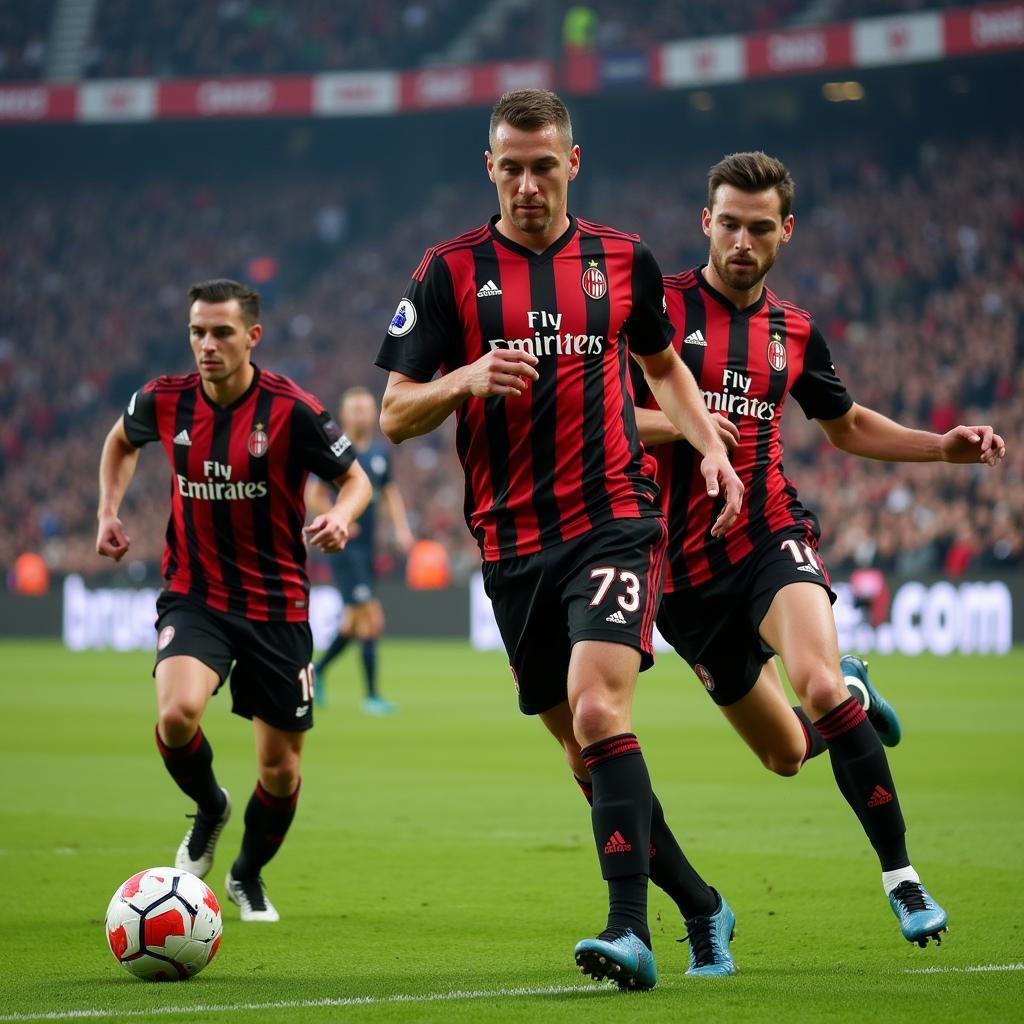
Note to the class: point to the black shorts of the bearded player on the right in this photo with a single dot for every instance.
(715, 627)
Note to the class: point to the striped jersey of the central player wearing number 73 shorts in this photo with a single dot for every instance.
(566, 456)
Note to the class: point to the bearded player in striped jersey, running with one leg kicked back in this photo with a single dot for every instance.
(732, 604)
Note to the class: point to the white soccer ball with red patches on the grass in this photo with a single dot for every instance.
(164, 925)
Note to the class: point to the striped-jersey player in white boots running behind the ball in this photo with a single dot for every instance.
(241, 443)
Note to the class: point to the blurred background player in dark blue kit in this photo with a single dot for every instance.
(363, 617)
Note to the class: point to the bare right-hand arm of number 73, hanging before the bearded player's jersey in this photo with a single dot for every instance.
(677, 394)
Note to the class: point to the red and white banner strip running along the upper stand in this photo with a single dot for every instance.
(872, 42)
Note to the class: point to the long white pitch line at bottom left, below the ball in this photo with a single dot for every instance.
(354, 1001)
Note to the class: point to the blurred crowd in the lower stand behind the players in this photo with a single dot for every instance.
(917, 278)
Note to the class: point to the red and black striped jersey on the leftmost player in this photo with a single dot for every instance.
(235, 534)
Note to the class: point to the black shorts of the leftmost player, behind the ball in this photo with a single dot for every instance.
(273, 676)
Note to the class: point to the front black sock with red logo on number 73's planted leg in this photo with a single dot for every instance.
(621, 816)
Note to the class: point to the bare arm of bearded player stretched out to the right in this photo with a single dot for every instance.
(870, 435)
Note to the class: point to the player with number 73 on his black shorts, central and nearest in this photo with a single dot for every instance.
(529, 319)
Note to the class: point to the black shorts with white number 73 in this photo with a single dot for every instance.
(601, 586)
